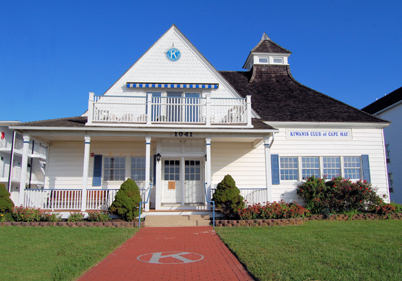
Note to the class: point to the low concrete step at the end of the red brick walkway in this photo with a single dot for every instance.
(177, 220)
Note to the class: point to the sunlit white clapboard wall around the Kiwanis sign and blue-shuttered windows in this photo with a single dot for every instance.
(365, 141)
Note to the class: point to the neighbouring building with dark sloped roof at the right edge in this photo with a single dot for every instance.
(389, 107)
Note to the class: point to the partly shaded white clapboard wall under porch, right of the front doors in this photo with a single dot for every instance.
(242, 161)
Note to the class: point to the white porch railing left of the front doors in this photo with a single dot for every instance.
(70, 199)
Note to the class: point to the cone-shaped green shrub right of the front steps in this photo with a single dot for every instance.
(227, 197)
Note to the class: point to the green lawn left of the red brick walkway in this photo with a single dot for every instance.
(55, 253)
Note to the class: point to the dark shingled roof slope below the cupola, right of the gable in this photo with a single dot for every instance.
(277, 96)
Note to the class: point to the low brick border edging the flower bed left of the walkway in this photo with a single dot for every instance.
(72, 224)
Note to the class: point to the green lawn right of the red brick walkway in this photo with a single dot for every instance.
(320, 250)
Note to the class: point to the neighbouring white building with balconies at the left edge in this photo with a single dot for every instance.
(11, 144)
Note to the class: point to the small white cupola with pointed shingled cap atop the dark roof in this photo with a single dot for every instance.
(267, 52)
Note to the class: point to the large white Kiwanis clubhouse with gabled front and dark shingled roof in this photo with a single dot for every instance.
(175, 121)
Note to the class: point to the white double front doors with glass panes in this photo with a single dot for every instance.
(182, 182)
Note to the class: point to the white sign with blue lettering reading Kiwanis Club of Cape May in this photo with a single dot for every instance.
(319, 134)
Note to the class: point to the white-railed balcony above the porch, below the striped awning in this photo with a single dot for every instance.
(150, 110)
